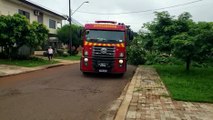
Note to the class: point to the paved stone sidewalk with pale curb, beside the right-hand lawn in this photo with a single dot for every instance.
(149, 100)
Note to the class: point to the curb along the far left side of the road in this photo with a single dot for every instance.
(40, 68)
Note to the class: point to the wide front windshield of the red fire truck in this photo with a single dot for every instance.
(105, 36)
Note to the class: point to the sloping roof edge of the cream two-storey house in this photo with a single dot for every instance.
(42, 8)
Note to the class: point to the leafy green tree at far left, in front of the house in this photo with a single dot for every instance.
(14, 31)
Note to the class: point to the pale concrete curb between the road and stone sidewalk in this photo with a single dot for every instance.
(122, 111)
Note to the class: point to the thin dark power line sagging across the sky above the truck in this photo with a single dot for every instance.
(143, 11)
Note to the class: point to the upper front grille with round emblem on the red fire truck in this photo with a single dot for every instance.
(103, 52)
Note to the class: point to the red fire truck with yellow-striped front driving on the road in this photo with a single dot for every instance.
(104, 47)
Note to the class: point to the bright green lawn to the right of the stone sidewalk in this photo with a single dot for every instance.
(195, 85)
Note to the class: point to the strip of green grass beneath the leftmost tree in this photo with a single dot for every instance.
(32, 62)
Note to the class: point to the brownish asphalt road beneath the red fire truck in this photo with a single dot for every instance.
(60, 93)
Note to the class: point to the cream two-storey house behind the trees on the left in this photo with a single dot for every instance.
(35, 12)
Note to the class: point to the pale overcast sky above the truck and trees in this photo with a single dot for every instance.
(201, 10)
